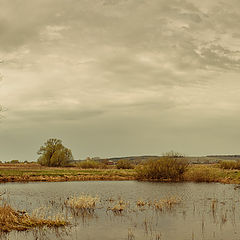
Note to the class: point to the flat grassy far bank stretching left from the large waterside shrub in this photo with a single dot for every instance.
(35, 172)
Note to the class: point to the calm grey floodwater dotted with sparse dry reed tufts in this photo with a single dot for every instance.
(129, 210)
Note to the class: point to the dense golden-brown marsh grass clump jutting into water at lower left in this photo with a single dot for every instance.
(11, 219)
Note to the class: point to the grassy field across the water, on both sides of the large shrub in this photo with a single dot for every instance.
(35, 172)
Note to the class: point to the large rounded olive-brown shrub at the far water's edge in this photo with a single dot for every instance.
(171, 167)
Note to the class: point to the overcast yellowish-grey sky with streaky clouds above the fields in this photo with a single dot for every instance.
(120, 77)
